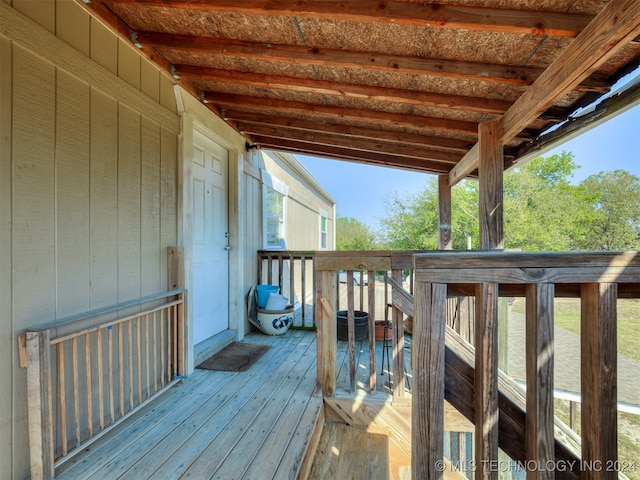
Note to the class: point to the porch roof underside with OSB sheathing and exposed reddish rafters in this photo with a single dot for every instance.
(402, 74)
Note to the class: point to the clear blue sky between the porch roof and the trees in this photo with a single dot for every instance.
(361, 190)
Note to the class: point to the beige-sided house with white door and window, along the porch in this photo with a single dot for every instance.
(104, 165)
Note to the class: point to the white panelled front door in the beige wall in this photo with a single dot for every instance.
(210, 294)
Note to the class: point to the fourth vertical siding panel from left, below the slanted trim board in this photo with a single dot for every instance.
(104, 199)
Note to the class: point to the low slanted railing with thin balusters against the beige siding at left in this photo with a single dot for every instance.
(87, 373)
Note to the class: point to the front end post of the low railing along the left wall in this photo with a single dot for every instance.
(39, 405)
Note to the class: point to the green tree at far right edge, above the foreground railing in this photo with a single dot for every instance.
(613, 221)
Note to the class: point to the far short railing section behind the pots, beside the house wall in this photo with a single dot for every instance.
(292, 271)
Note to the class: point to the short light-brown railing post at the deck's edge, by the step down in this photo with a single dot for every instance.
(326, 332)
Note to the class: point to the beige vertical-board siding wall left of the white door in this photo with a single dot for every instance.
(88, 182)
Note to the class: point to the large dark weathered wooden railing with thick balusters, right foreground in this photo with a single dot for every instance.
(598, 279)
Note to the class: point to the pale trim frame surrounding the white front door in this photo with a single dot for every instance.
(211, 128)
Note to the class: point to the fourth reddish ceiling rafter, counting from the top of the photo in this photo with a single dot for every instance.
(246, 102)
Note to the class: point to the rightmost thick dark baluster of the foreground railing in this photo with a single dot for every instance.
(598, 380)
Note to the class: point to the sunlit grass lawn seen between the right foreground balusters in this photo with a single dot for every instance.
(567, 316)
